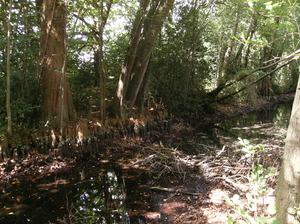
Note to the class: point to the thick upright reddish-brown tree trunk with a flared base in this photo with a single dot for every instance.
(57, 105)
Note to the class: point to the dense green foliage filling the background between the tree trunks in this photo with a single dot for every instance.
(207, 50)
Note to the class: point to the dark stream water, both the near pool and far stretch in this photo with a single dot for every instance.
(102, 193)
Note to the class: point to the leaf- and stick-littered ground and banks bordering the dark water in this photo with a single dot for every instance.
(188, 188)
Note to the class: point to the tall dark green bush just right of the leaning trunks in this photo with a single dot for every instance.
(178, 70)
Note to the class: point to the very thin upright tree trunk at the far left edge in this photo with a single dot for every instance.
(7, 27)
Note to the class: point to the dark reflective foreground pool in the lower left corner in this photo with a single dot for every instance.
(93, 195)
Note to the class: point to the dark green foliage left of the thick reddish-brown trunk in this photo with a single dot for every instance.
(24, 66)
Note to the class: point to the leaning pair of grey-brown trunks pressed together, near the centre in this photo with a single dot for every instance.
(147, 25)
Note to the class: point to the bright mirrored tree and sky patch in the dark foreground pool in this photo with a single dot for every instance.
(100, 201)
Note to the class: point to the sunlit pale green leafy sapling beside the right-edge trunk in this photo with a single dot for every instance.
(258, 187)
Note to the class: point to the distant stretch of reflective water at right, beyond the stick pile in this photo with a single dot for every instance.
(256, 126)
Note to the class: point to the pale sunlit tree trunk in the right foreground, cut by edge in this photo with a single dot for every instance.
(288, 190)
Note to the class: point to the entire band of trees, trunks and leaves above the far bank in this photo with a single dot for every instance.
(67, 59)
